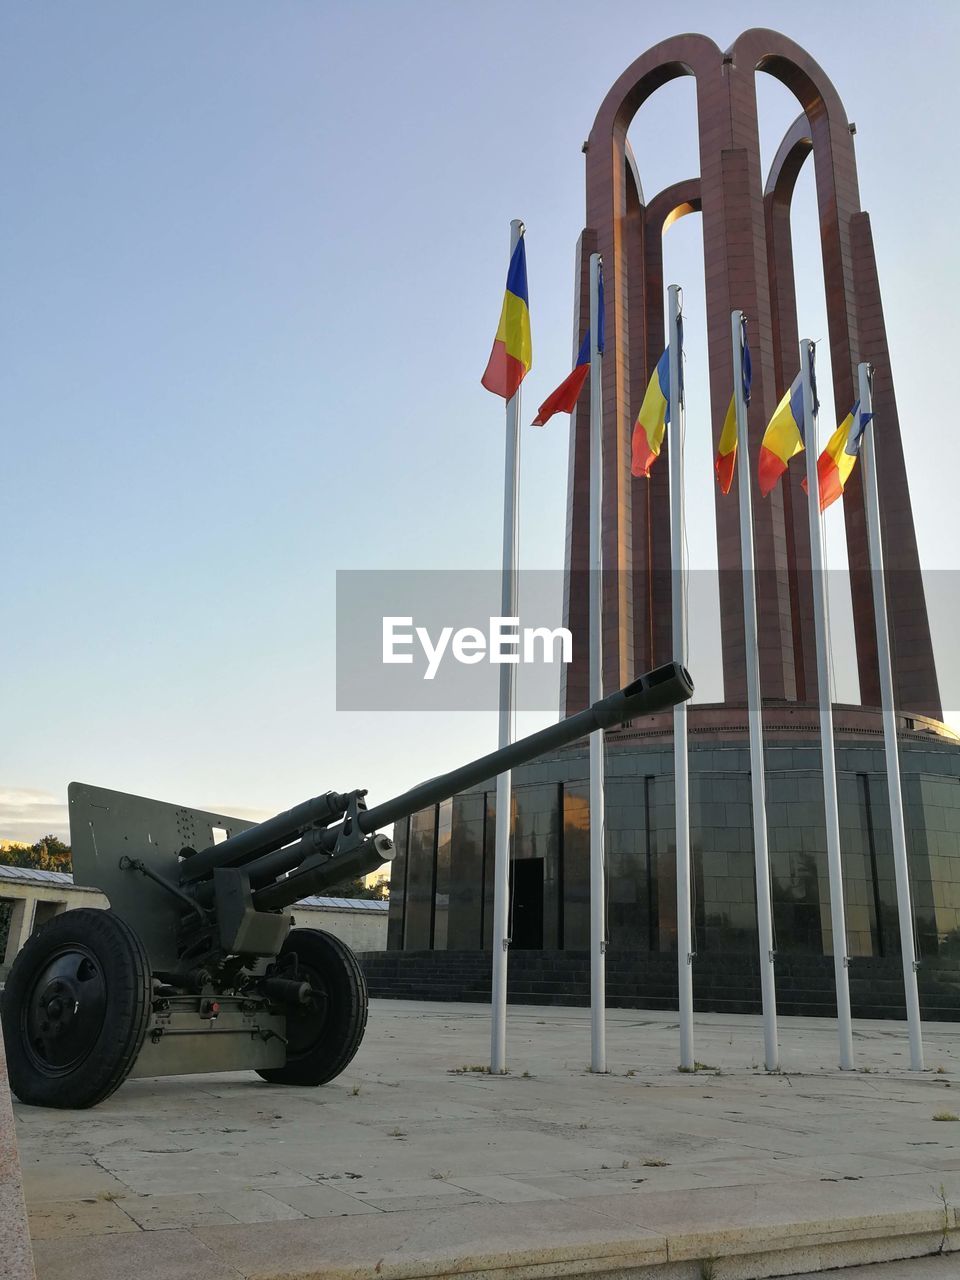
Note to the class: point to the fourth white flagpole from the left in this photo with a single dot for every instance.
(765, 913)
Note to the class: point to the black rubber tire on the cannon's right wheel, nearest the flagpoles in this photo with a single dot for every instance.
(323, 1040)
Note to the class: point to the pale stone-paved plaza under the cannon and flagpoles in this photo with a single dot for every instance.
(417, 1163)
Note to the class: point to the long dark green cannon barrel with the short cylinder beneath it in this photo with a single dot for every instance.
(659, 691)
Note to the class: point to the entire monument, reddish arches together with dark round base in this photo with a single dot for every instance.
(441, 926)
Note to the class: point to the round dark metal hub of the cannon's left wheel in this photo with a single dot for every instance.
(65, 1012)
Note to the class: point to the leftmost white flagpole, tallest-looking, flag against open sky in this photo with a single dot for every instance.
(509, 610)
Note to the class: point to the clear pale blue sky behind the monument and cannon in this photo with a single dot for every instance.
(253, 259)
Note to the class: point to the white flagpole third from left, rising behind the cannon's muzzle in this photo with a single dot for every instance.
(682, 778)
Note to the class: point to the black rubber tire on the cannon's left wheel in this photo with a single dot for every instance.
(112, 958)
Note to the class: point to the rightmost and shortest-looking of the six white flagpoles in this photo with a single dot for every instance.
(908, 950)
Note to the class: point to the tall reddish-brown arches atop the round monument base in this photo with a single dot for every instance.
(748, 260)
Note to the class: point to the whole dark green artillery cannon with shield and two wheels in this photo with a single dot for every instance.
(195, 967)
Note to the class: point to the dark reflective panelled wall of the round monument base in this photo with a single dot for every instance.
(442, 881)
